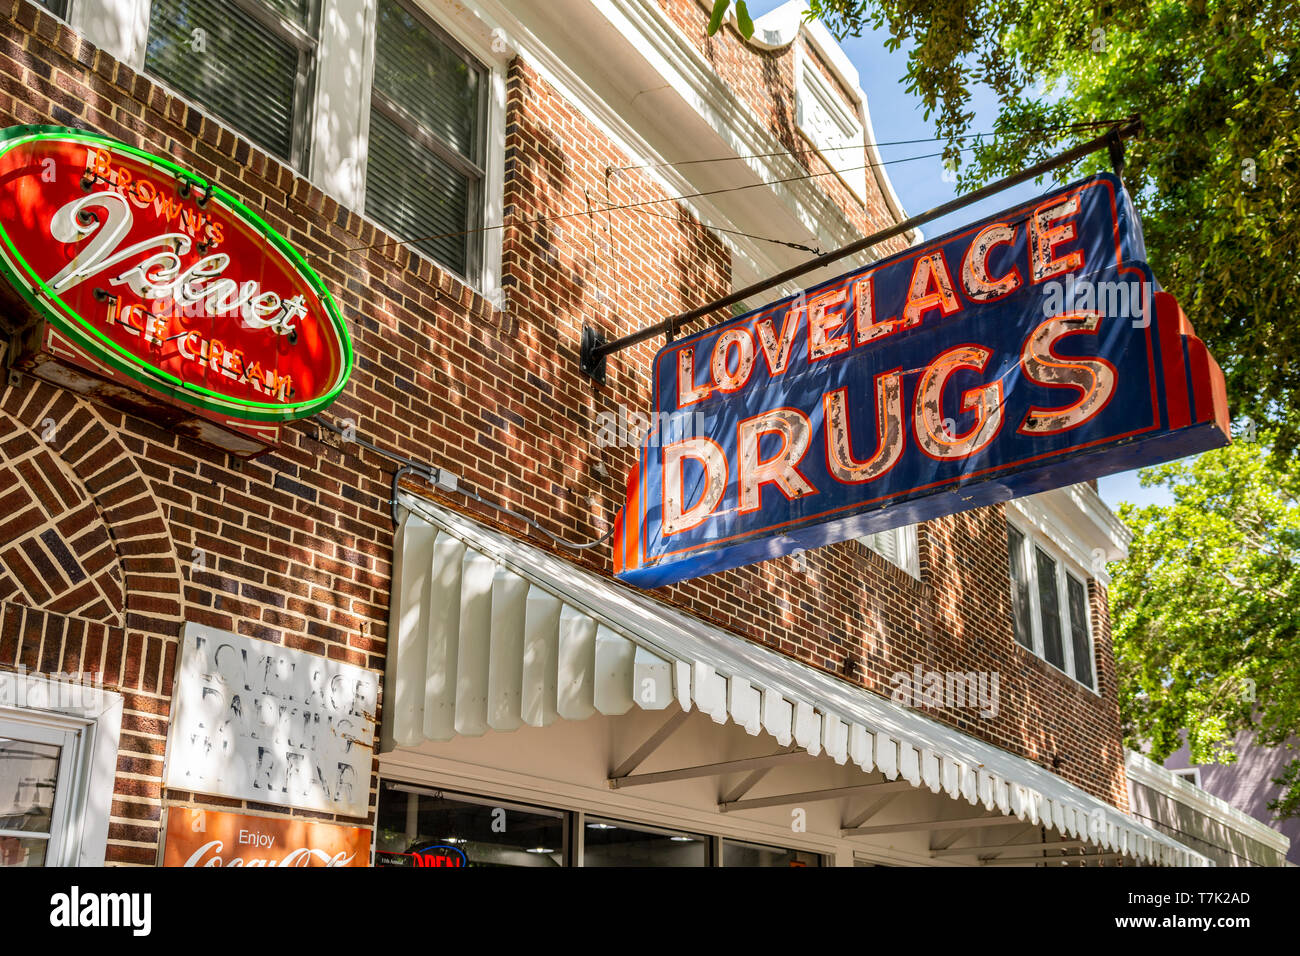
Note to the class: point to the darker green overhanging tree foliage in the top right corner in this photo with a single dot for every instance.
(1216, 175)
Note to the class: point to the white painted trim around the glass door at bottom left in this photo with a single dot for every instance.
(98, 716)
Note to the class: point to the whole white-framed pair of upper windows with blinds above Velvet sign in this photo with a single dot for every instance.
(415, 140)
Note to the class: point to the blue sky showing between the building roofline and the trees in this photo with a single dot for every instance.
(896, 116)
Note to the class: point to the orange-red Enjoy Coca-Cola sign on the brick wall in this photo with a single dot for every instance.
(198, 837)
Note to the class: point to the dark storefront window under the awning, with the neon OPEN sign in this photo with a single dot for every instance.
(413, 821)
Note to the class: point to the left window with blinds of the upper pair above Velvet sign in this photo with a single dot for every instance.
(248, 62)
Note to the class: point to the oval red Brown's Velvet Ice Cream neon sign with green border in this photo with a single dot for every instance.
(166, 278)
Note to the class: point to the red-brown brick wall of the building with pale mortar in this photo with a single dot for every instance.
(118, 531)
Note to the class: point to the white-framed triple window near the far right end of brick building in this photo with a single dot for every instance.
(1050, 605)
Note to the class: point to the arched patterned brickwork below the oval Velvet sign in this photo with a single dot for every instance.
(89, 559)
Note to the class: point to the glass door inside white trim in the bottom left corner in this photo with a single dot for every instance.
(37, 769)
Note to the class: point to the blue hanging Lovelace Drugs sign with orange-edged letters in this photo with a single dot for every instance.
(1025, 353)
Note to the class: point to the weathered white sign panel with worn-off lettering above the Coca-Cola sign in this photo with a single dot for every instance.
(255, 721)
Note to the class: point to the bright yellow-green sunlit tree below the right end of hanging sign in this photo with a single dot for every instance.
(1207, 609)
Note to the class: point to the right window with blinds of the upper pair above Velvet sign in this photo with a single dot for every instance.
(424, 175)
